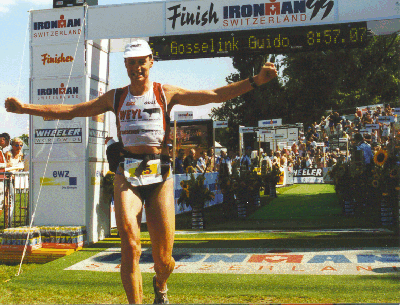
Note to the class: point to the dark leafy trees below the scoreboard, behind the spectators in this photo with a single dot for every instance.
(311, 83)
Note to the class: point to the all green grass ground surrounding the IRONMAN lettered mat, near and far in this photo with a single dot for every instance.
(317, 207)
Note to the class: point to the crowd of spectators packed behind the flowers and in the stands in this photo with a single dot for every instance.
(317, 146)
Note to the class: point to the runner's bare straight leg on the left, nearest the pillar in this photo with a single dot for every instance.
(128, 212)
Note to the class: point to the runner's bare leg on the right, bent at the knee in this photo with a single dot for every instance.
(160, 218)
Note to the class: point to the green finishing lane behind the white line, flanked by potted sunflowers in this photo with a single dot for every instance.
(298, 207)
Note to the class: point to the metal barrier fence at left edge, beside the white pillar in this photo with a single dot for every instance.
(14, 199)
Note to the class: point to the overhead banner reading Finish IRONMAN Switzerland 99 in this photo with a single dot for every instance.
(194, 16)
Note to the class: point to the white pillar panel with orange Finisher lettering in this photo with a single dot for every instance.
(58, 60)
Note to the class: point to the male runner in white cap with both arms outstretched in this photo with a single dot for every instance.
(142, 133)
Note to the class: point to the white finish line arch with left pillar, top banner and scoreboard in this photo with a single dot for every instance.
(70, 49)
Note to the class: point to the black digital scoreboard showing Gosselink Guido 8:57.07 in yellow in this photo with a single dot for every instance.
(262, 41)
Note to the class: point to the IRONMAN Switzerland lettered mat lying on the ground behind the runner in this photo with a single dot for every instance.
(366, 262)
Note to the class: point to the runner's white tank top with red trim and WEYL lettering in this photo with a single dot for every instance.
(140, 119)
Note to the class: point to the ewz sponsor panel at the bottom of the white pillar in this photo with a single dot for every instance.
(61, 183)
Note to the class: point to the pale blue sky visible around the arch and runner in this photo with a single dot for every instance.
(15, 66)
